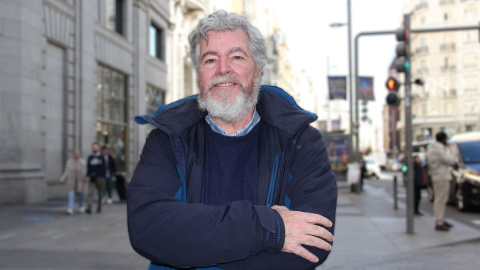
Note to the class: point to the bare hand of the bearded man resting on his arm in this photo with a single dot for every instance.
(302, 228)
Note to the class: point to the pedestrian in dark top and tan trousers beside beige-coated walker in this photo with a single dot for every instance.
(96, 170)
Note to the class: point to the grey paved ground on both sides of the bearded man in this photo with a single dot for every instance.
(369, 234)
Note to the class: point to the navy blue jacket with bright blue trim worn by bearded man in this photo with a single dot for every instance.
(167, 223)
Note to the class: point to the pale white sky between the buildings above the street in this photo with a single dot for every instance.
(311, 40)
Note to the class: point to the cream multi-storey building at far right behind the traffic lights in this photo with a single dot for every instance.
(448, 63)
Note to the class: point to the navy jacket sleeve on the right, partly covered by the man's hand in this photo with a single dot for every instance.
(313, 189)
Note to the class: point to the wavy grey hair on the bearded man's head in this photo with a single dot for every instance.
(226, 21)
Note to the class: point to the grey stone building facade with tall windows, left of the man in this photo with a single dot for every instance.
(75, 72)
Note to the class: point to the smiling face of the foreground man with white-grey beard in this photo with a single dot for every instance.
(227, 75)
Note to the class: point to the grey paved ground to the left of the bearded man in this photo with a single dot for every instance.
(43, 237)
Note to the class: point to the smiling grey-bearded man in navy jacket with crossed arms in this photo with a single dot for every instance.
(234, 178)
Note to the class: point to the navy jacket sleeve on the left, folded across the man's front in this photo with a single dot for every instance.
(170, 232)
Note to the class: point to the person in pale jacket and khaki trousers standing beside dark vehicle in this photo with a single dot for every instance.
(440, 158)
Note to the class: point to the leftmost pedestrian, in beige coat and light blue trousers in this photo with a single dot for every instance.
(74, 175)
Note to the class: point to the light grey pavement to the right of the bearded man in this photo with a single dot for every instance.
(371, 234)
